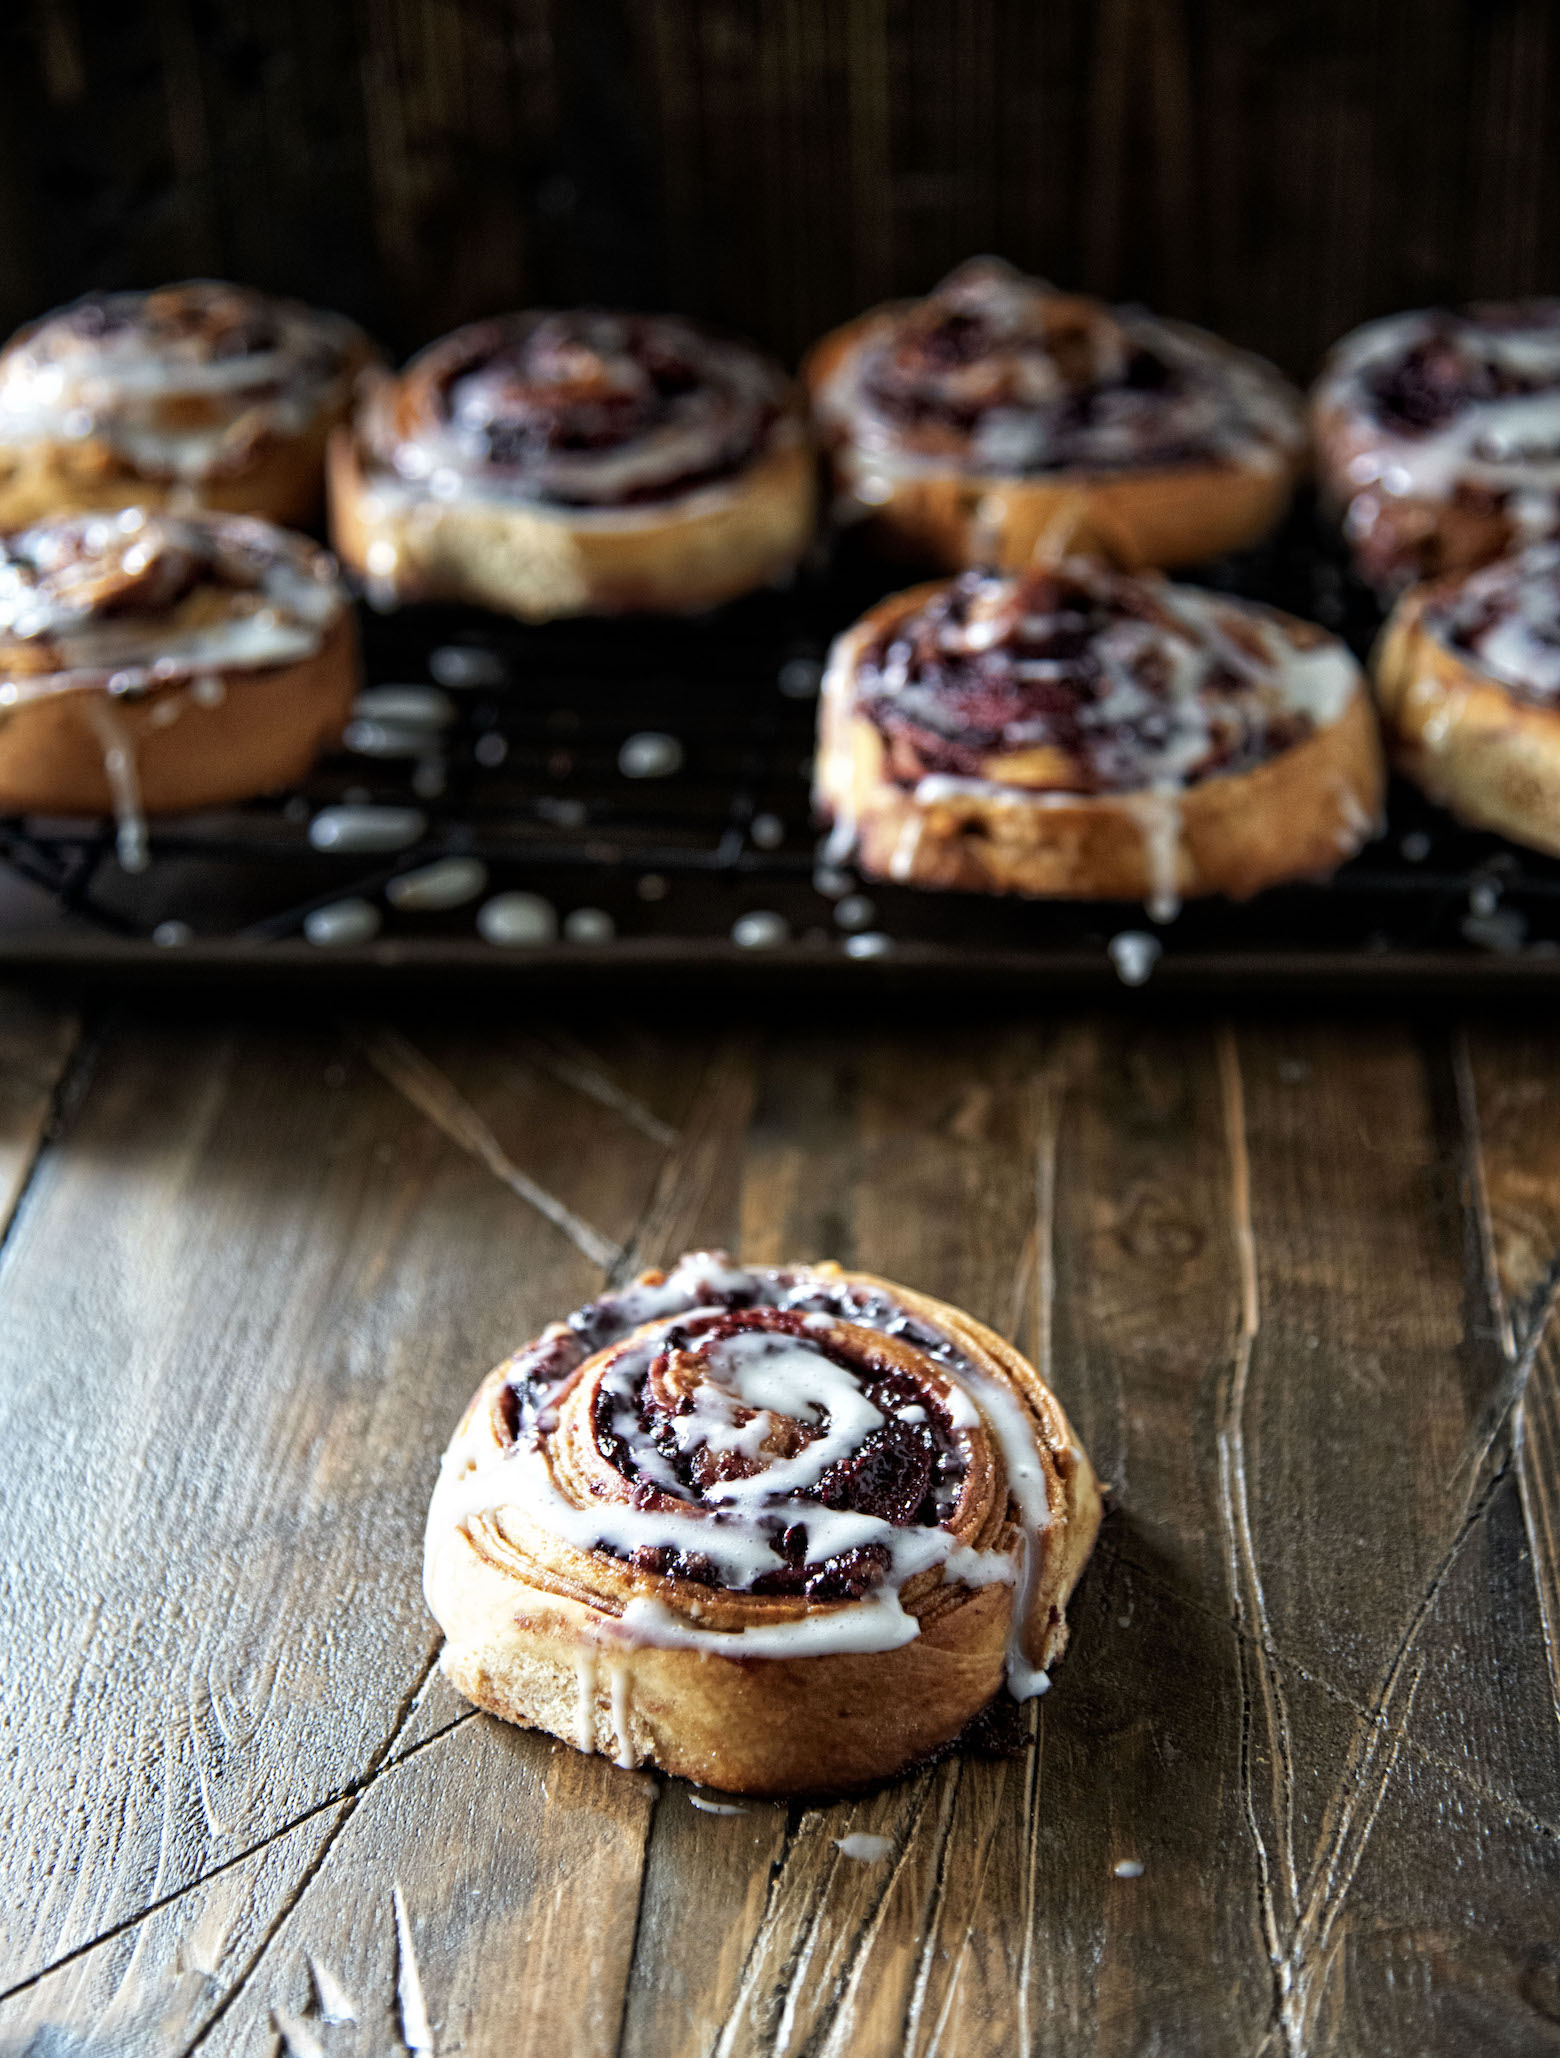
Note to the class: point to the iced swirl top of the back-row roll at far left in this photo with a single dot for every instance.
(182, 384)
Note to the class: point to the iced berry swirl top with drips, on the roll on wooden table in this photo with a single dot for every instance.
(758, 1431)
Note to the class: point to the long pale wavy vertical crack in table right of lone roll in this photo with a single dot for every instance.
(1256, 1658)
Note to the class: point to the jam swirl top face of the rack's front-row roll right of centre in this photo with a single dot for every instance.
(1084, 680)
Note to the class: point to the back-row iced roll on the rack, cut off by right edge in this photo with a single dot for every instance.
(1440, 437)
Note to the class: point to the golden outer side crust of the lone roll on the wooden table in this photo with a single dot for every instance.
(754, 1726)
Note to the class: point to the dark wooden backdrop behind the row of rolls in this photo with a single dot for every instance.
(1277, 172)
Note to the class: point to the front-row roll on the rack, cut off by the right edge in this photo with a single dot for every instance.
(1468, 682)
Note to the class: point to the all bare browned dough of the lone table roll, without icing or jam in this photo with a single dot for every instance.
(536, 1627)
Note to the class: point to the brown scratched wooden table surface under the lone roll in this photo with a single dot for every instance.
(1293, 1283)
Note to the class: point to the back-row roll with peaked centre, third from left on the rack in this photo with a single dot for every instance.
(960, 427)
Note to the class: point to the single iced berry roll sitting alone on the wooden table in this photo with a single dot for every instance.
(777, 1530)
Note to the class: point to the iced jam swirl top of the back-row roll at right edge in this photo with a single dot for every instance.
(1448, 406)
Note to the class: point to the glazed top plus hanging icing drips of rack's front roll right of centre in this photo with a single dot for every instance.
(1178, 686)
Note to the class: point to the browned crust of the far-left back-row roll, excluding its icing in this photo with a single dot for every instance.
(271, 462)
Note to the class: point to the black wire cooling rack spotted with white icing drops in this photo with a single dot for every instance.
(631, 800)
